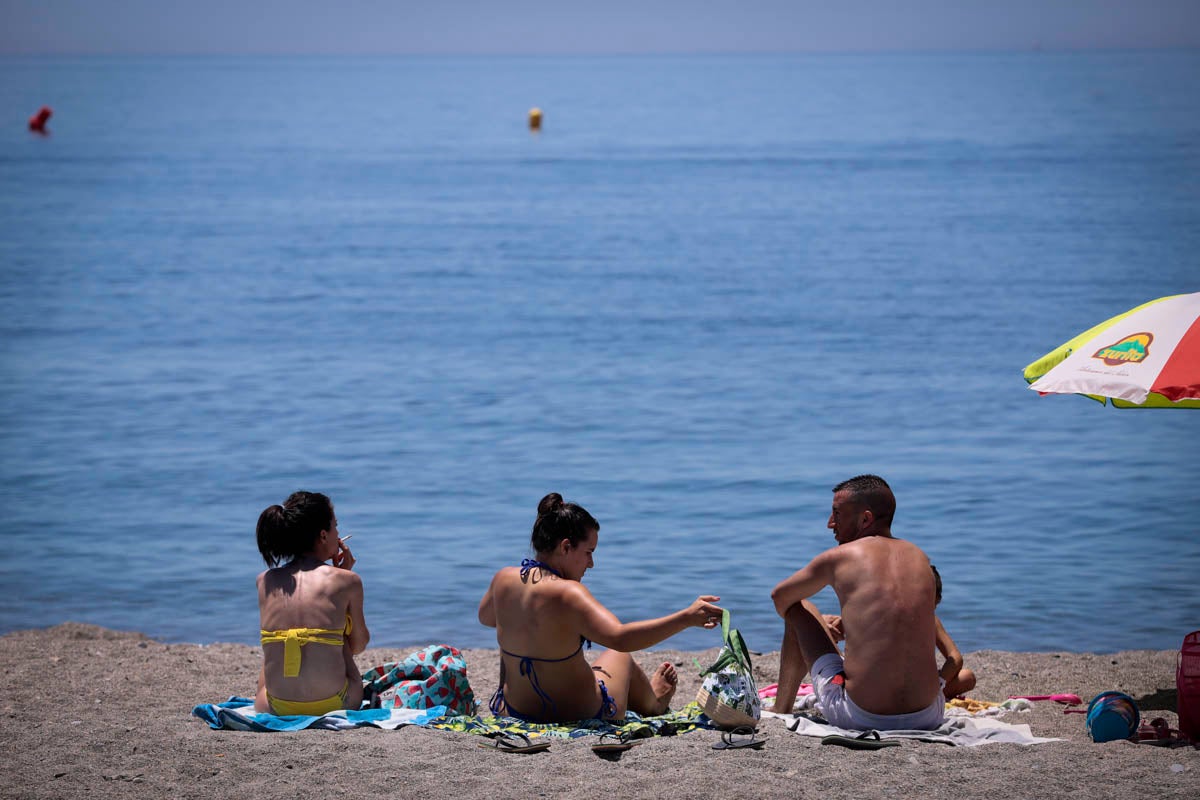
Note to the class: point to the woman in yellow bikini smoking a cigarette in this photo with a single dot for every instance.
(311, 611)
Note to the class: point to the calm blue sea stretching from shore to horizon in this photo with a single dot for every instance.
(709, 291)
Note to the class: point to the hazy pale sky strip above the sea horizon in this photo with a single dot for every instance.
(545, 27)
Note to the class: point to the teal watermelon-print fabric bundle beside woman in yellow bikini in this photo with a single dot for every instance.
(436, 676)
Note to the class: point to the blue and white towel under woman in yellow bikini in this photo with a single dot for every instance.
(239, 714)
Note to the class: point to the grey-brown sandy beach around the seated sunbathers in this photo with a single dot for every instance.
(89, 712)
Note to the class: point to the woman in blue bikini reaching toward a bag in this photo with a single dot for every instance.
(544, 616)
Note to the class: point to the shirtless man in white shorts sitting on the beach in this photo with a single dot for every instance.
(886, 590)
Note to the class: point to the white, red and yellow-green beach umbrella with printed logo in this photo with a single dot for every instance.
(1145, 358)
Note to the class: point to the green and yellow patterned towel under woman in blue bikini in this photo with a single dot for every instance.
(686, 720)
